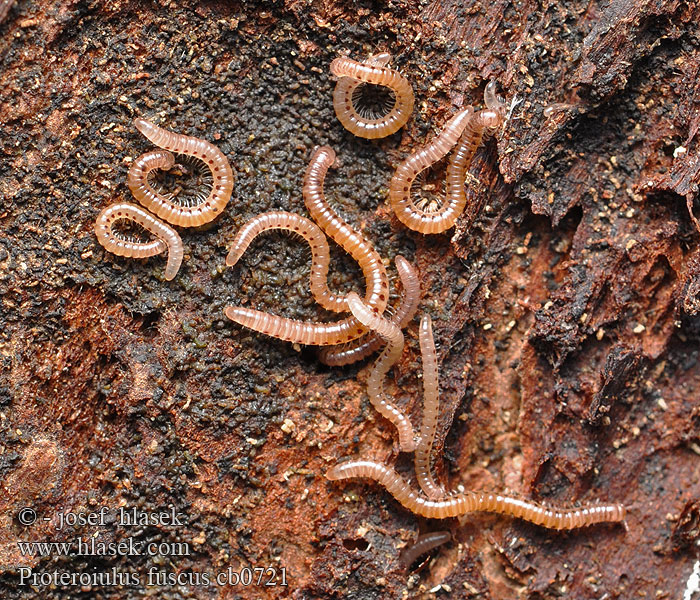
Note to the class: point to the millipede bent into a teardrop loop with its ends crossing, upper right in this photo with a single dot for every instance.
(466, 129)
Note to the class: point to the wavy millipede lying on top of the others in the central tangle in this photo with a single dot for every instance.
(375, 384)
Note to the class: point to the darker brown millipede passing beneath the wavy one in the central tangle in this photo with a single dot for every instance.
(370, 343)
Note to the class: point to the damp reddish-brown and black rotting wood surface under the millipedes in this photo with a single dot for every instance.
(564, 302)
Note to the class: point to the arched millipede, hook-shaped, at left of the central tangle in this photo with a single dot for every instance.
(320, 253)
